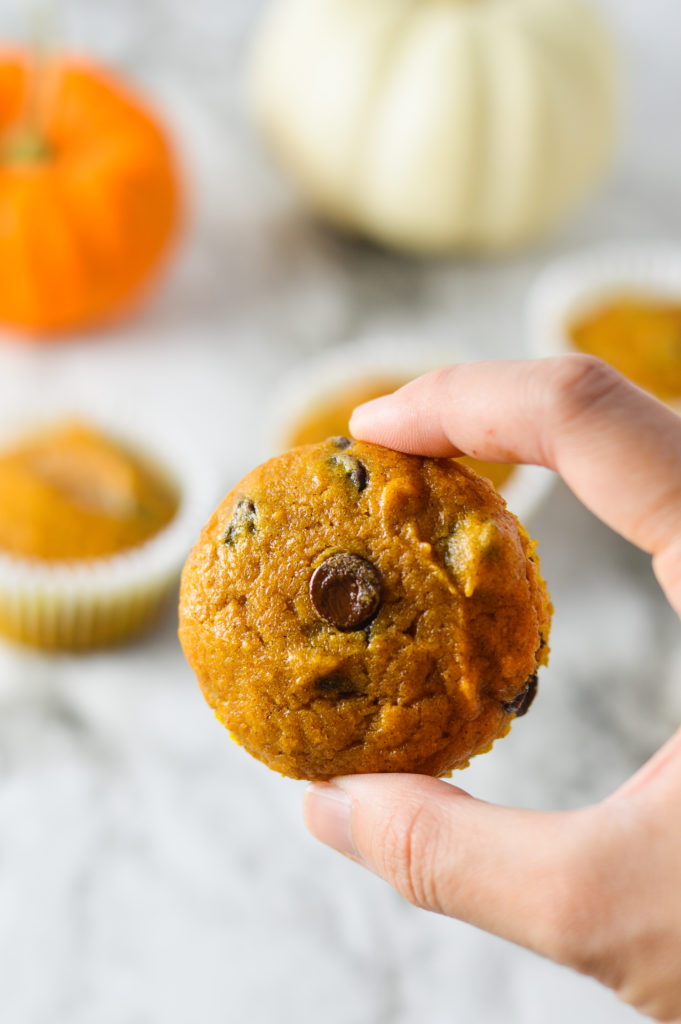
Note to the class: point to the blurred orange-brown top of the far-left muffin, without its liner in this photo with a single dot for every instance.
(70, 493)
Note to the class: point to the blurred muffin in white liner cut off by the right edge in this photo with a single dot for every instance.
(621, 304)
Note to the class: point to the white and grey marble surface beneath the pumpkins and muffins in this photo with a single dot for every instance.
(150, 871)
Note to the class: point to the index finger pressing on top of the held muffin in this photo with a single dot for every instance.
(617, 448)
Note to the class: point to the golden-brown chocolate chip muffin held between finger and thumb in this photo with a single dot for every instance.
(350, 609)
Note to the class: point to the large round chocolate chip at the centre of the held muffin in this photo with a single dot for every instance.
(346, 590)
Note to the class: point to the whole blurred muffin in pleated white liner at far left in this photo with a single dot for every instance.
(93, 534)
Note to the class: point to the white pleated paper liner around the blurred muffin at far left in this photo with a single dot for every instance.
(81, 605)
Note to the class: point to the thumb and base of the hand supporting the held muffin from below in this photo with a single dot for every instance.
(597, 889)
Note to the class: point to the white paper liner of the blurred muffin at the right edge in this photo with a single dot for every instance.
(584, 281)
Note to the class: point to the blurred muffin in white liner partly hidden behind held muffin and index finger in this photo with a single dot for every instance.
(315, 402)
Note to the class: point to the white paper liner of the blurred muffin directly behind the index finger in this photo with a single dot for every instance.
(306, 389)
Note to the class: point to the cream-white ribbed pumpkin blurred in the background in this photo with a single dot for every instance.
(436, 125)
